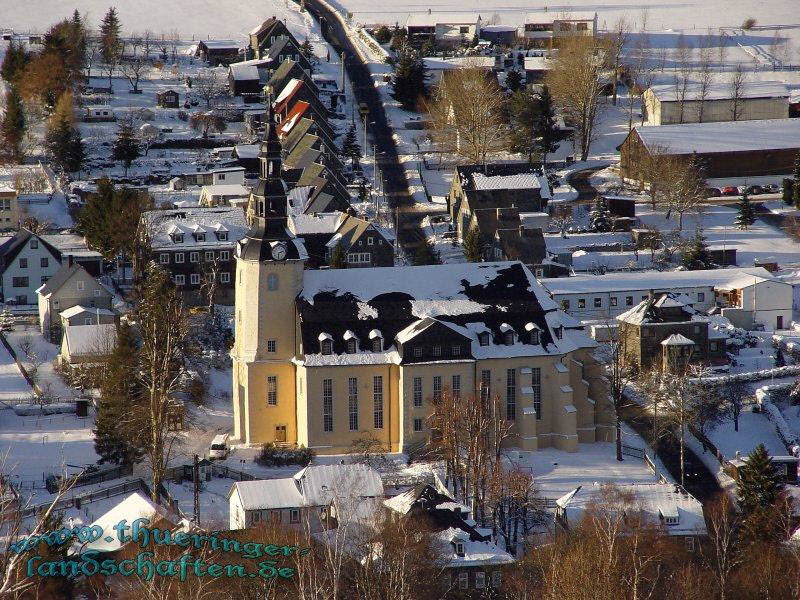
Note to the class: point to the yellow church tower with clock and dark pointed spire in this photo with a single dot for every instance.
(269, 276)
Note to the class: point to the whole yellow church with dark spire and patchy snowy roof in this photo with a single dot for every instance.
(322, 358)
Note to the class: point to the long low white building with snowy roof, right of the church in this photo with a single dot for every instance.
(747, 296)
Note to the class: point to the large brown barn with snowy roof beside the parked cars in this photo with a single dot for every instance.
(725, 149)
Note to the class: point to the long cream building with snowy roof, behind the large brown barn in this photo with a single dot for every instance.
(671, 104)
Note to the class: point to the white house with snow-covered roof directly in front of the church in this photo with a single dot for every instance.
(303, 498)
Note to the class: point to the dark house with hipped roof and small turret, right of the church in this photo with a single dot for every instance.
(666, 331)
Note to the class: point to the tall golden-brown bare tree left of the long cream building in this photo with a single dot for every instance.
(576, 82)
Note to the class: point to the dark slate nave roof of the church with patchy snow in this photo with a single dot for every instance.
(390, 299)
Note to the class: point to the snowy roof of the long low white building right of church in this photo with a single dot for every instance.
(664, 281)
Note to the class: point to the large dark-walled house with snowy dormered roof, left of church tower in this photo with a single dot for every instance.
(196, 246)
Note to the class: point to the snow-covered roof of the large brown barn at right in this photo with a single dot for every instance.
(724, 136)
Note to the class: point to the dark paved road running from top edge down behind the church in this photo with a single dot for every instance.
(394, 178)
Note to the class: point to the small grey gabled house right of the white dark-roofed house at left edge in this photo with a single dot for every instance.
(70, 286)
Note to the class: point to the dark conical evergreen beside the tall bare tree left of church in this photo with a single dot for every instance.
(114, 440)
